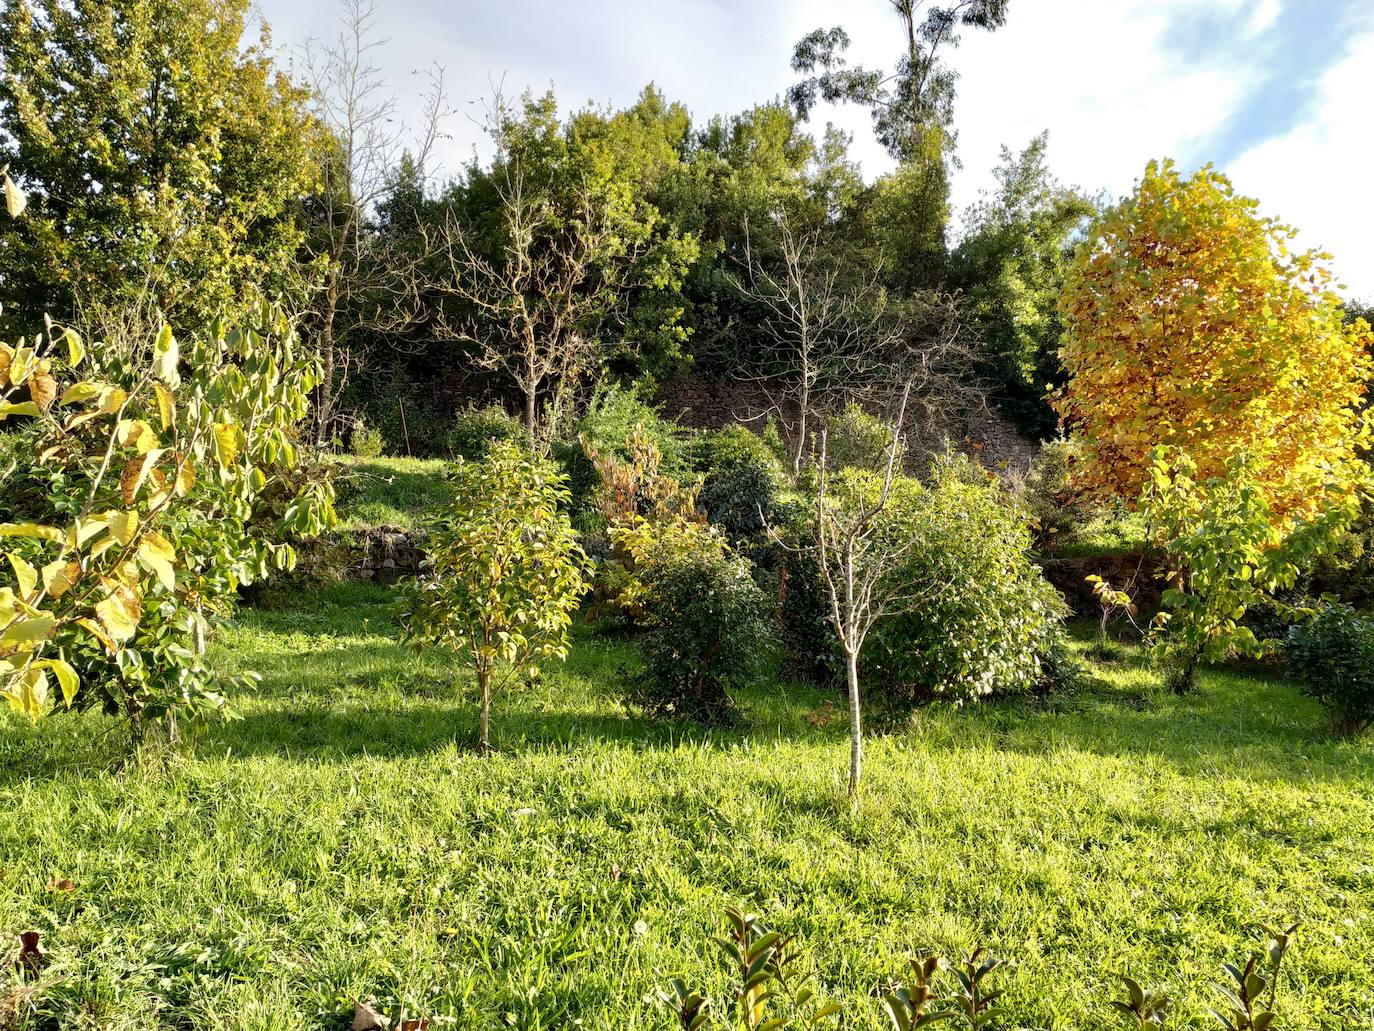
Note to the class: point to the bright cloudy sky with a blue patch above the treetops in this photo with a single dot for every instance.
(1279, 94)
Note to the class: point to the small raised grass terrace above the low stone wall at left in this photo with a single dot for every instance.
(388, 491)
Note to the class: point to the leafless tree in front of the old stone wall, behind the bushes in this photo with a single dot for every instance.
(824, 331)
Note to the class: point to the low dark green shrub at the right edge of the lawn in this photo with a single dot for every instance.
(1333, 656)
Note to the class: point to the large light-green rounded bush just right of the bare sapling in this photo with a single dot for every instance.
(986, 621)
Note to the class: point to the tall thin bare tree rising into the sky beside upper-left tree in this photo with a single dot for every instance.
(368, 282)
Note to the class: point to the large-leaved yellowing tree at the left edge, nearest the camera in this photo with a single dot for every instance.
(146, 485)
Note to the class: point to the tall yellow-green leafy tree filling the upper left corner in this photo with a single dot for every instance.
(164, 157)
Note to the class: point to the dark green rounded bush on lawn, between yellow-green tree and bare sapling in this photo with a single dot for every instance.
(707, 630)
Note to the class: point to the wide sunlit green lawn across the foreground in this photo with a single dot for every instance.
(341, 842)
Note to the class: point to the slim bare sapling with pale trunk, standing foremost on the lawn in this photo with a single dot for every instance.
(857, 546)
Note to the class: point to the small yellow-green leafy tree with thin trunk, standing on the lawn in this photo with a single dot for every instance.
(508, 573)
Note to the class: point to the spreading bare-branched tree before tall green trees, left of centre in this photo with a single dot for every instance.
(538, 304)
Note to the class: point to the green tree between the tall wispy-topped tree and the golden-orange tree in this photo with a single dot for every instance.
(1011, 266)
